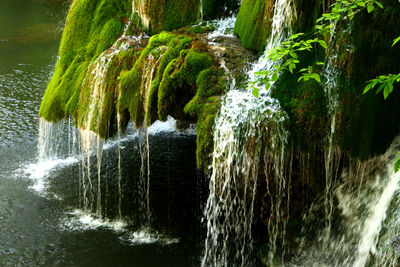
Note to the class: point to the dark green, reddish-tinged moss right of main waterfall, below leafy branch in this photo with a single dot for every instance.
(305, 103)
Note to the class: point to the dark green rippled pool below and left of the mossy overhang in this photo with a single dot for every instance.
(40, 220)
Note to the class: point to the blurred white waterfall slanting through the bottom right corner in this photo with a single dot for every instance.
(364, 197)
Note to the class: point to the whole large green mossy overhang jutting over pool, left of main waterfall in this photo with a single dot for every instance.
(108, 70)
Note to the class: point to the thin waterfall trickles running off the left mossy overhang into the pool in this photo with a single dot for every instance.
(85, 142)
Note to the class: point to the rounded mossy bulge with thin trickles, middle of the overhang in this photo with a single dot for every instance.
(163, 79)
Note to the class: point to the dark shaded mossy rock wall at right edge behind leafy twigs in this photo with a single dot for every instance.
(367, 124)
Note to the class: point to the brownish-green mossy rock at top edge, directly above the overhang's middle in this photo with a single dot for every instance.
(155, 16)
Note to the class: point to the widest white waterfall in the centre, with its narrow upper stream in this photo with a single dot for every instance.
(249, 133)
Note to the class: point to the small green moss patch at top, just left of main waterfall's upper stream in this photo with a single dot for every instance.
(253, 23)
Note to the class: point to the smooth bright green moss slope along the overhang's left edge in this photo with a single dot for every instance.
(91, 27)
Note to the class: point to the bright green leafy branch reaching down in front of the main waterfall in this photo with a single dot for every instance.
(285, 55)
